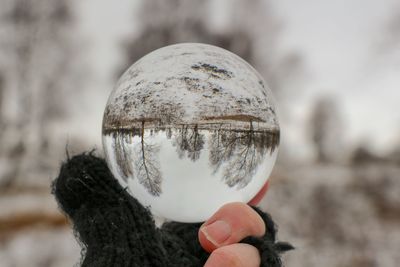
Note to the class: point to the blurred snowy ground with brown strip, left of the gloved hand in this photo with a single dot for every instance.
(34, 233)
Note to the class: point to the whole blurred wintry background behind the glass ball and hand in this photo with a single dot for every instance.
(334, 67)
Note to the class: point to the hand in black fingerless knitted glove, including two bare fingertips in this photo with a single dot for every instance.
(116, 230)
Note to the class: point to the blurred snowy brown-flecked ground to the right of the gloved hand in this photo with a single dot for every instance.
(338, 216)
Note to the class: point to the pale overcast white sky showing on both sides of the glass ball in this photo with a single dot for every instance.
(337, 38)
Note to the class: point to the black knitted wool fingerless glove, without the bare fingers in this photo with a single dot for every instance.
(116, 230)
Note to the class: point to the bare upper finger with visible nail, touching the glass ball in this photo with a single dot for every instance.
(230, 224)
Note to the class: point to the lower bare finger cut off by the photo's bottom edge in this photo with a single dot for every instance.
(236, 255)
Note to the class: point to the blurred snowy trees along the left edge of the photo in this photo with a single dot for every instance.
(39, 77)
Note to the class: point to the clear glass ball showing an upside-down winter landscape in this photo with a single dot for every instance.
(188, 128)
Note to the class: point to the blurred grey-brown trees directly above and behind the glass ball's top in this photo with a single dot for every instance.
(252, 32)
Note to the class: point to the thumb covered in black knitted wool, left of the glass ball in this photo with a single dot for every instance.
(115, 229)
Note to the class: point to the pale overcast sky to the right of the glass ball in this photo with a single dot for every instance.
(338, 39)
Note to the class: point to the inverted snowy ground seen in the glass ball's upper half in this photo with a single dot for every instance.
(190, 82)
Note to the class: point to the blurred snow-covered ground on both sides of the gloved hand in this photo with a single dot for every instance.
(335, 216)
